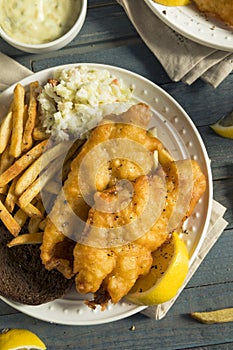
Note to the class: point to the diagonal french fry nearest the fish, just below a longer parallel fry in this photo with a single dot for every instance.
(35, 188)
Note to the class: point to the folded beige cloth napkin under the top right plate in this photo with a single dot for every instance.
(182, 59)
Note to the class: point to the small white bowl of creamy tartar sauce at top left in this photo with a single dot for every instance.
(41, 25)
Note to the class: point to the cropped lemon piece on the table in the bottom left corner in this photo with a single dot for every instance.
(20, 339)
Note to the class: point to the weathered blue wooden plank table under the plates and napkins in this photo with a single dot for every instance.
(108, 37)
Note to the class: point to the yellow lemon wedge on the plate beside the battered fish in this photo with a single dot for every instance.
(166, 276)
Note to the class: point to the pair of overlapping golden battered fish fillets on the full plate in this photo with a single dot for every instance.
(117, 206)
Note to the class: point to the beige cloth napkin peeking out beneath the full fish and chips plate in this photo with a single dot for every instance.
(12, 73)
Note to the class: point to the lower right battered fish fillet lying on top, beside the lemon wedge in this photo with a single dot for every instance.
(110, 273)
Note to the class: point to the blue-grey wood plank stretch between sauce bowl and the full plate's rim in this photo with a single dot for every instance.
(132, 53)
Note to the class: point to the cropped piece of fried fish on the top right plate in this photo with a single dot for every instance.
(222, 9)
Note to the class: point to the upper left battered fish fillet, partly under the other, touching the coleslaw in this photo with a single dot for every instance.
(62, 228)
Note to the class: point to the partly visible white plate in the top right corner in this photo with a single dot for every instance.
(194, 25)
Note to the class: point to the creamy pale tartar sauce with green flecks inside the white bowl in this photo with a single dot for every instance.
(38, 21)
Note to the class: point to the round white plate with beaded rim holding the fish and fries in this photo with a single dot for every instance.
(180, 136)
